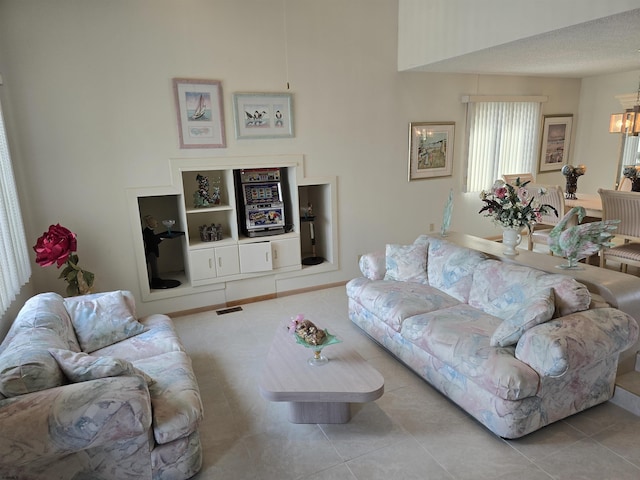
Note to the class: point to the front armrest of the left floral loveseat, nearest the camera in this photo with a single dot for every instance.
(58, 421)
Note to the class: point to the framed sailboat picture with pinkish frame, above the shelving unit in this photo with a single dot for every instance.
(200, 113)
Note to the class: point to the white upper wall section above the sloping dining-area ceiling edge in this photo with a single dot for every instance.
(435, 30)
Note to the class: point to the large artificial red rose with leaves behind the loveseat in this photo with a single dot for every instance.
(57, 245)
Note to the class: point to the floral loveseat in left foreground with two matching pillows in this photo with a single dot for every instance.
(87, 390)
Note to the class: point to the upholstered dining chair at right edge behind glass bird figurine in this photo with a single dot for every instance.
(623, 206)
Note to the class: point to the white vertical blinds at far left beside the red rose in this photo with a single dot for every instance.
(15, 268)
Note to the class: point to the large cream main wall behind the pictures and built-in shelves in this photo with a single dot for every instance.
(92, 113)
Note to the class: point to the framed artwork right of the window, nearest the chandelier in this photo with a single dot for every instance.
(556, 138)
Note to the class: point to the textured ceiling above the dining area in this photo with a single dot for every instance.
(606, 45)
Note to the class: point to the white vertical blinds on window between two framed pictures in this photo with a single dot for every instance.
(503, 138)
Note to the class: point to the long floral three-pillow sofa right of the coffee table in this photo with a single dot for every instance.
(516, 347)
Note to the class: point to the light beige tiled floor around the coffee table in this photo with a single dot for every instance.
(411, 432)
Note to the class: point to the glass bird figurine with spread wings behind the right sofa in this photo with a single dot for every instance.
(582, 240)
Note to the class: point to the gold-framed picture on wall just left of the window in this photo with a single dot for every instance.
(430, 149)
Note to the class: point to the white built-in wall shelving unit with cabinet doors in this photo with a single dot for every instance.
(201, 264)
